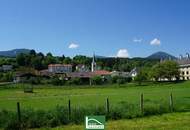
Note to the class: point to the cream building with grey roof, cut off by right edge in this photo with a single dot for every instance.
(184, 67)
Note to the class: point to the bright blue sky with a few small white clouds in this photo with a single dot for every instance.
(107, 27)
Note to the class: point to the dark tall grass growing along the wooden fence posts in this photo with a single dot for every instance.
(31, 118)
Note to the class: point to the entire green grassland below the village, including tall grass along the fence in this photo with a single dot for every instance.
(47, 106)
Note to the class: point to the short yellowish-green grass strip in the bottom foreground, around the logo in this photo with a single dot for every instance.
(174, 121)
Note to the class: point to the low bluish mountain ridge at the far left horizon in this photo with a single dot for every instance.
(13, 53)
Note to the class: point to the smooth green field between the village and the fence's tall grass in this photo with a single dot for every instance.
(50, 96)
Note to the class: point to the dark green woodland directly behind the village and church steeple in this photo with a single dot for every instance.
(40, 61)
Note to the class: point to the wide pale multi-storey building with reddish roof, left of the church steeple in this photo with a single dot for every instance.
(60, 68)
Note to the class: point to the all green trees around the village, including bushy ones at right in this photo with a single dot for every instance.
(148, 69)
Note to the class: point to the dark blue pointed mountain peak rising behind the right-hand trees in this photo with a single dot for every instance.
(161, 55)
